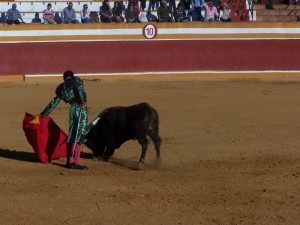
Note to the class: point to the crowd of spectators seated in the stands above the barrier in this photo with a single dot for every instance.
(166, 12)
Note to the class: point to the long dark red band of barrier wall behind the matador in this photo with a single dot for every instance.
(141, 56)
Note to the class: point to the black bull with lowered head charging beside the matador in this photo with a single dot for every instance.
(121, 124)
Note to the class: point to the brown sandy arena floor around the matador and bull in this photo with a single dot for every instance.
(230, 155)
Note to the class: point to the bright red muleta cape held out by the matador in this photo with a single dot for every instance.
(46, 138)
